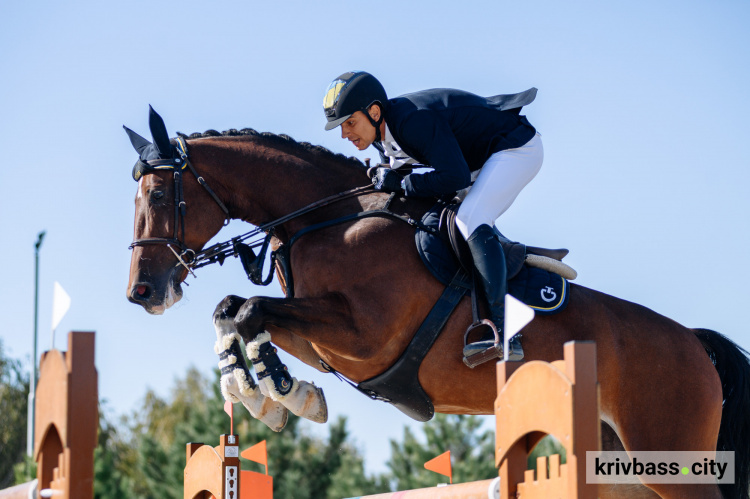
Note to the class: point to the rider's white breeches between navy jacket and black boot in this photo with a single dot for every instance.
(500, 180)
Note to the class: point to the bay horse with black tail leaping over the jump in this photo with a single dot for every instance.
(360, 292)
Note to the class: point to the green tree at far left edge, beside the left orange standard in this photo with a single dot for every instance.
(14, 396)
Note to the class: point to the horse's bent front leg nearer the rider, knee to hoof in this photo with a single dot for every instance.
(302, 398)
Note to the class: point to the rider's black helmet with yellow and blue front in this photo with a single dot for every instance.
(351, 92)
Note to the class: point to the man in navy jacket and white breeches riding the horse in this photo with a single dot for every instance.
(455, 133)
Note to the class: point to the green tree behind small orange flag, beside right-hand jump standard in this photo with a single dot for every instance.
(472, 452)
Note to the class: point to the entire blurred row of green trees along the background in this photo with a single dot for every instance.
(142, 455)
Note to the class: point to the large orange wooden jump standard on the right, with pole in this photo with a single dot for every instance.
(537, 399)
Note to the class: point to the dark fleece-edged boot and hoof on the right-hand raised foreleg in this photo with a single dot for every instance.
(302, 398)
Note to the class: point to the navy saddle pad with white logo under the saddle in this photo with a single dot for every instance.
(545, 292)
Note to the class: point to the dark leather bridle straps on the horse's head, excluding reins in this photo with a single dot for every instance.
(177, 164)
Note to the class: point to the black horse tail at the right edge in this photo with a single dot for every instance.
(732, 363)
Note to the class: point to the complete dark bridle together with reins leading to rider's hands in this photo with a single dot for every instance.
(236, 246)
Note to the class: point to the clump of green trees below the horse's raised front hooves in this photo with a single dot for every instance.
(146, 457)
